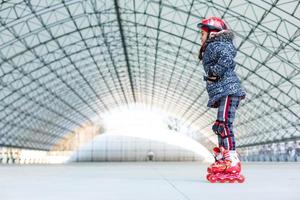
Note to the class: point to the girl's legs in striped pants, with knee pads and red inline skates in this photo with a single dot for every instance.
(227, 168)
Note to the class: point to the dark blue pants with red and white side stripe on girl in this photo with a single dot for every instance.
(226, 113)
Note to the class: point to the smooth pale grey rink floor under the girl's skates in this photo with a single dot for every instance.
(145, 181)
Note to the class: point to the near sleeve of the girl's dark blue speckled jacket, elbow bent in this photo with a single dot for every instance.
(223, 54)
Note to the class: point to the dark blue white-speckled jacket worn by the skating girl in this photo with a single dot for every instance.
(218, 59)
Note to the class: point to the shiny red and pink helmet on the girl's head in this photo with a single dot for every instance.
(212, 24)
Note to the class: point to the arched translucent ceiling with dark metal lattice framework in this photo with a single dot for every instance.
(65, 63)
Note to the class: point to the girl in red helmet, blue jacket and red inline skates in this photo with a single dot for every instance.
(225, 93)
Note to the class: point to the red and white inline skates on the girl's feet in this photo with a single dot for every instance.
(226, 170)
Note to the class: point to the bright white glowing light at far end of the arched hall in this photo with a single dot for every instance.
(140, 121)
